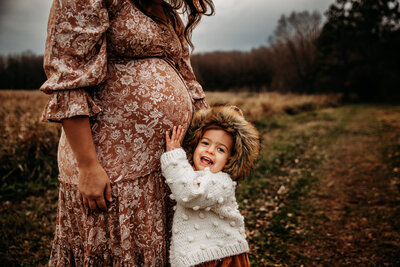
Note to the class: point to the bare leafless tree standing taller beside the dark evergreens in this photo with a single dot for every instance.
(293, 44)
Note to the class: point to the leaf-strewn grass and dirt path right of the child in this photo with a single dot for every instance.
(326, 189)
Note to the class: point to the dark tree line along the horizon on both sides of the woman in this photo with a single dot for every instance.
(355, 52)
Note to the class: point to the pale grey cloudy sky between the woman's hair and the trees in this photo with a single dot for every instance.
(243, 25)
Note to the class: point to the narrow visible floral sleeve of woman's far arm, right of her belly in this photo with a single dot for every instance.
(185, 69)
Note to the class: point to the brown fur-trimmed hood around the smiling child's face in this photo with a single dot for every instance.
(246, 142)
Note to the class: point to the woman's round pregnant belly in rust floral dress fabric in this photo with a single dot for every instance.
(140, 100)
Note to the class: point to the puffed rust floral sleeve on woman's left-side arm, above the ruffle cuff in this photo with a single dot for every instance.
(75, 54)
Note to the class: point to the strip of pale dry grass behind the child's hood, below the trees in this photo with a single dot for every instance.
(258, 105)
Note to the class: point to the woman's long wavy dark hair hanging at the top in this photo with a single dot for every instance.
(193, 9)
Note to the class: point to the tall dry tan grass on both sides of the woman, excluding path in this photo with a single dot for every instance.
(26, 141)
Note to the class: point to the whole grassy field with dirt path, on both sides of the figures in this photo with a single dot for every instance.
(325, 190)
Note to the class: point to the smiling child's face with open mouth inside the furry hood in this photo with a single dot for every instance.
(213, 150)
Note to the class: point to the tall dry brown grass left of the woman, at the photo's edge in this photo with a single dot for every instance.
(27, 145)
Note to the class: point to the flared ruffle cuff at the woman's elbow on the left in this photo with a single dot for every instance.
(69, 103)
